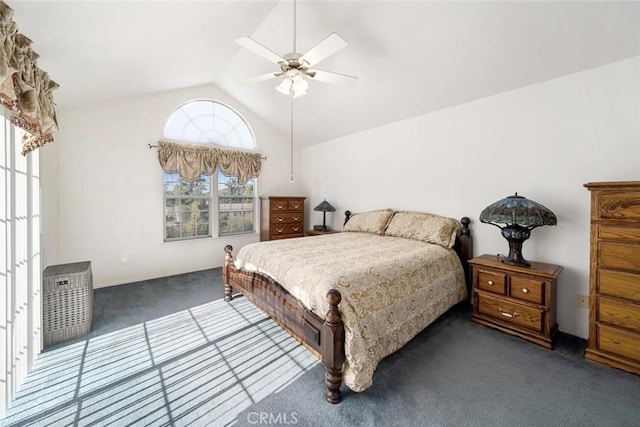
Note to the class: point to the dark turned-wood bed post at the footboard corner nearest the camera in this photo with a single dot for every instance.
(332, 346)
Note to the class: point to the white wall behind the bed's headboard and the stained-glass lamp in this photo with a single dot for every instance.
(543, 141)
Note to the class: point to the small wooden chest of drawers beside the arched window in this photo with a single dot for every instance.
(281, 217)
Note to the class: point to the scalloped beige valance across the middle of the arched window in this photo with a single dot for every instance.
(191, 161)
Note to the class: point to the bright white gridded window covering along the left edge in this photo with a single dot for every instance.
(20, 269)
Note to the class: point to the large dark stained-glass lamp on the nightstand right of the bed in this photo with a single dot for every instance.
(519, 216)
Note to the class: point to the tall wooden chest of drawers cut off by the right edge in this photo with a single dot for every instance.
(614, 285)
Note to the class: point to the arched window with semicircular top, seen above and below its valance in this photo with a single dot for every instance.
(211, 206)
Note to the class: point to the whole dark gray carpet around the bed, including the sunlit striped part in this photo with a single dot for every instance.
(170, 352)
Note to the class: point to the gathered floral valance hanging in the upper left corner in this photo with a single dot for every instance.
(25, 89)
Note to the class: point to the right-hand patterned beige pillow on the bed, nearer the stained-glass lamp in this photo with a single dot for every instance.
(425, 227)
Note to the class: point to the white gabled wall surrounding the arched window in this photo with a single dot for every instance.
(103, 189)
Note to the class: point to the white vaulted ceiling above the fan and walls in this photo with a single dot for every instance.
(410, 57)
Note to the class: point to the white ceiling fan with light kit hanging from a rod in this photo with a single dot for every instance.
(296, 67)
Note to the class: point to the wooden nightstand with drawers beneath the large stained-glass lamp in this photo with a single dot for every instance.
(516, 300)
